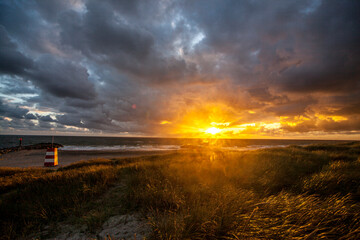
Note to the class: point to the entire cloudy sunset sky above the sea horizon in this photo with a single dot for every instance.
(166, 68)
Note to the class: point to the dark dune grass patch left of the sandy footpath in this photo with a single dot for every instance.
(45, 197)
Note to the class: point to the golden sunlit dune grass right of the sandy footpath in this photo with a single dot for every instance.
(274, 193)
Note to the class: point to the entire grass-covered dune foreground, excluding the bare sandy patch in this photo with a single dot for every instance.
(282, 193)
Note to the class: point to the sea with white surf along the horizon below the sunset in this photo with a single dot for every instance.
(83, 143)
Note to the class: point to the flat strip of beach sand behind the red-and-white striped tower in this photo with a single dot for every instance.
(35, 158)
